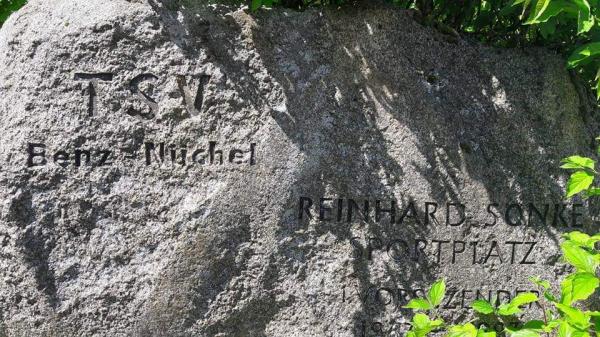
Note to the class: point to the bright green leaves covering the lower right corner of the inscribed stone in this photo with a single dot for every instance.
(563, 318)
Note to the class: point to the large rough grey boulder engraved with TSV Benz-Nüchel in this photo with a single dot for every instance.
(159, 166)
